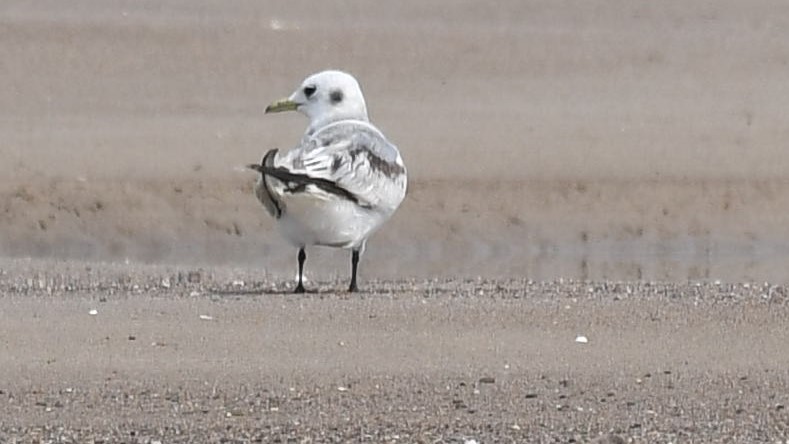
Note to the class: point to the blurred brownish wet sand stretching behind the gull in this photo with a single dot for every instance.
(545, 139)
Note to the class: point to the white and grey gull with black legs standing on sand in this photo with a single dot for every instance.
(343, 180)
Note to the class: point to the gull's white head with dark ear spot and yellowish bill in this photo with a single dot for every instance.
(325, 97)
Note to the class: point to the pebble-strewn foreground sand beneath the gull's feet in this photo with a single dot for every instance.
(219, 355)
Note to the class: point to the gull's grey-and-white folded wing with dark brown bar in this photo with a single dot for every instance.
(355, 156)
